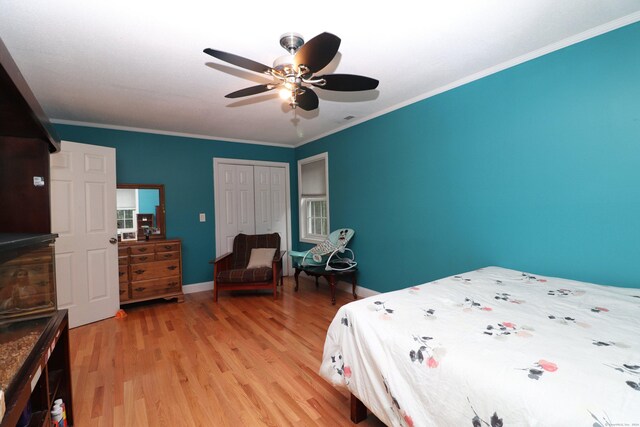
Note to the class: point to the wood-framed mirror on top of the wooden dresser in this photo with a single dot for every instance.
(140, 212)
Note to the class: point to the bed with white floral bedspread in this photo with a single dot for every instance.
(491, 347)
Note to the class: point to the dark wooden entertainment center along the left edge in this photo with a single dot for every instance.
(34, 337)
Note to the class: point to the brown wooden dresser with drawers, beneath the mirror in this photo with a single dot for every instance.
(150, 269)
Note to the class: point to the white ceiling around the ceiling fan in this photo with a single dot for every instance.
(138, 64)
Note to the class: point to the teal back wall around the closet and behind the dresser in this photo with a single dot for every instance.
(185, 167)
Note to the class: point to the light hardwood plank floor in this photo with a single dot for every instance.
(246, 361)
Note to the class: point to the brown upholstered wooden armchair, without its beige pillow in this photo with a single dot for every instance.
(230, 270)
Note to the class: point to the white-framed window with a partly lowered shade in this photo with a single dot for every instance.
(313, 187)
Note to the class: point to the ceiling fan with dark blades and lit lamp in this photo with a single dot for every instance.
(294, 73)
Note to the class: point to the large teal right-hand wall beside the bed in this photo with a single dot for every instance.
(535, 168)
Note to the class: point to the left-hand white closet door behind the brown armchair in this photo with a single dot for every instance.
(236, 199)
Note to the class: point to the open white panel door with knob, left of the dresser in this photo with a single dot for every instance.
(83, 213)
